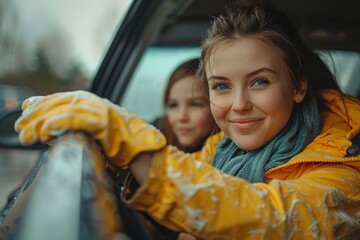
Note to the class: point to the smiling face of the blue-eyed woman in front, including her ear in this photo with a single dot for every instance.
(251, 92)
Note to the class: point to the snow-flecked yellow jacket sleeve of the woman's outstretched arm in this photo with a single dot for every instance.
(192, 196)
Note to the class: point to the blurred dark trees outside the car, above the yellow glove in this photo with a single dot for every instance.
(46, 66)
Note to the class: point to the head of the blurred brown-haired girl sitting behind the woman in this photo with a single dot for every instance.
(188, 121)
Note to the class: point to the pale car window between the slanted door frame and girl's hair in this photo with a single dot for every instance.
(144, 95)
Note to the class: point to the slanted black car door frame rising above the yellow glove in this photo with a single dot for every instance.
(134, 35)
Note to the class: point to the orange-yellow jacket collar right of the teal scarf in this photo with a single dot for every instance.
(341, 123)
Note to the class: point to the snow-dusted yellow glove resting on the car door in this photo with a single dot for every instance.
(121, 134)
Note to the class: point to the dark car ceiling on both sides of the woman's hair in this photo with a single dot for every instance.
(323, 24)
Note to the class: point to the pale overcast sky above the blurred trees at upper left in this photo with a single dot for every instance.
(88, 25)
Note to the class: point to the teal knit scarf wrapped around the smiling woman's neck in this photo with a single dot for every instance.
(303, 127)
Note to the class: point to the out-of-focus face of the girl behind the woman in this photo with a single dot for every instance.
(189, 112)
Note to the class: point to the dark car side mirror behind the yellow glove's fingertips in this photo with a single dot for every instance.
(9, 138)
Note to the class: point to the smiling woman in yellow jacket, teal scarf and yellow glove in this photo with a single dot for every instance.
(278, 168)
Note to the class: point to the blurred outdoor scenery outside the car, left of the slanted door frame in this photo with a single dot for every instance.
(46, 47)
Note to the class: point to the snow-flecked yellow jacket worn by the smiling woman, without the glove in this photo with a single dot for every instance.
(316, 195)
